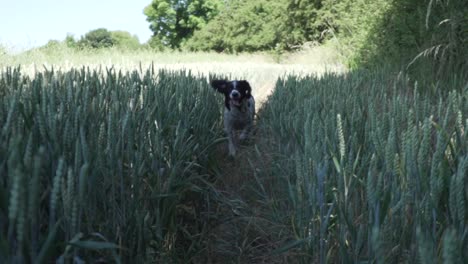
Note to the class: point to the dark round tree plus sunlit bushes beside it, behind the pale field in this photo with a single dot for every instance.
(235, 25)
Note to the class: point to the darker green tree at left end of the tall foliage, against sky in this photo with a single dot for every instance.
(174, 21)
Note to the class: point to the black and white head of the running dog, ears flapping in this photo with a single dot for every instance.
(234, 91)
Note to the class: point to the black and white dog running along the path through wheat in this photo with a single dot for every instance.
(239, 110)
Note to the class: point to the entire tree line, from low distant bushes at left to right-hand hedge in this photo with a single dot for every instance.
(400, 32)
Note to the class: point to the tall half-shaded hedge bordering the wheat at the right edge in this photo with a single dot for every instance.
(403, 33)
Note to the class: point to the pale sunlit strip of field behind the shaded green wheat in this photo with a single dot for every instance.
(261, 69)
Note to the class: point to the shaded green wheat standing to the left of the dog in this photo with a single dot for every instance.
(95, 164)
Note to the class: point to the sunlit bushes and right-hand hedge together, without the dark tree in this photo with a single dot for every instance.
(401, 33)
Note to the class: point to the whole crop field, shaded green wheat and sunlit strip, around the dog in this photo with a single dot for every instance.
(122, 160)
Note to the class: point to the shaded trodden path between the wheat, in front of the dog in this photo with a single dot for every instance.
(242, 233)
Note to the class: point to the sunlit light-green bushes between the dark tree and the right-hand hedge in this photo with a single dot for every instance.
(262, 25)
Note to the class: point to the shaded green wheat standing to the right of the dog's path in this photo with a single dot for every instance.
(368, 169)
